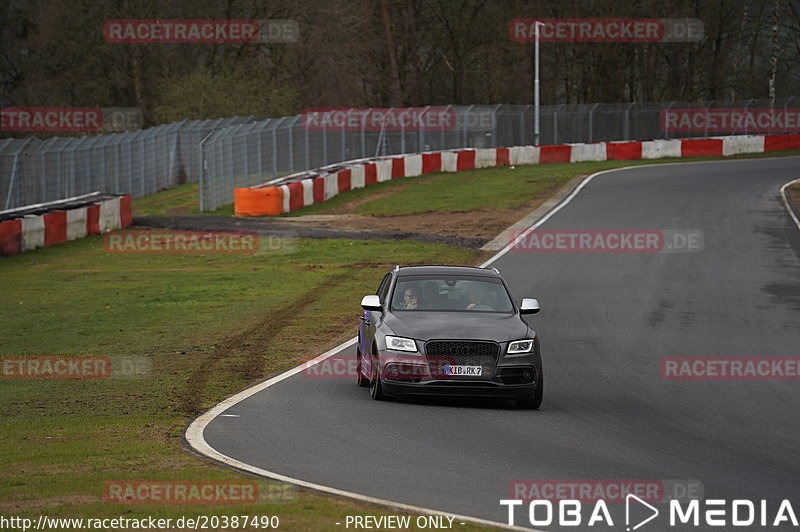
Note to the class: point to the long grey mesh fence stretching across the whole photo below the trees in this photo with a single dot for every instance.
(242, 151)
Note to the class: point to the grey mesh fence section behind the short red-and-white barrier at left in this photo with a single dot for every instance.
(140, 162)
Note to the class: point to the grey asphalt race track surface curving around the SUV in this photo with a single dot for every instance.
(607, 320)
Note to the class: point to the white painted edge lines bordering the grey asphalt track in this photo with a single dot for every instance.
(194, 433)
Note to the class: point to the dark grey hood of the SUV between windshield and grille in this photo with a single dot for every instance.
(422, 325)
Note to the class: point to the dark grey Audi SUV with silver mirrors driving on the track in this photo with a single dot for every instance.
(448, 330)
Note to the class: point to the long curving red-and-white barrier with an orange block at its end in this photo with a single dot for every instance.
(312, 187)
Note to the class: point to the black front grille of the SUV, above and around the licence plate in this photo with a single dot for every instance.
(461, 353)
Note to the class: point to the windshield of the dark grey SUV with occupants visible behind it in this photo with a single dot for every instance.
(452, 294)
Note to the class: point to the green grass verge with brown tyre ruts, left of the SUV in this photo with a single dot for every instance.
(208, 325)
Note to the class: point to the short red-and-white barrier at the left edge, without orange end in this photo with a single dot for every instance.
(33, 231)
